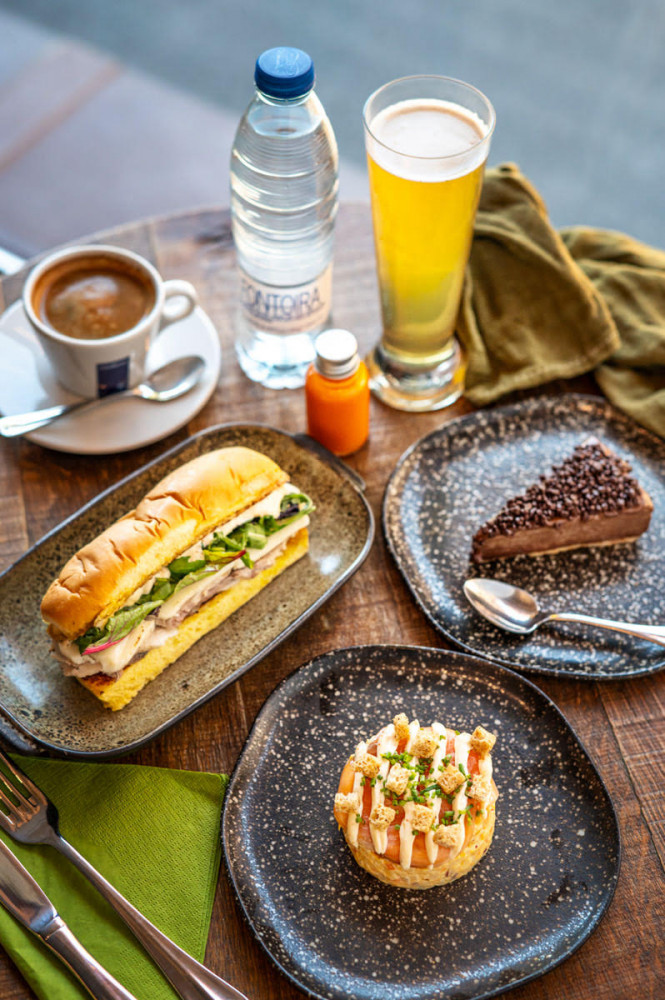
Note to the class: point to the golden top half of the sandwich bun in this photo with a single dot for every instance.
(180, 510)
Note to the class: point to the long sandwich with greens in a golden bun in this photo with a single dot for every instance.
(204, 541)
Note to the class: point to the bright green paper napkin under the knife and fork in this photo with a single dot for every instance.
(154, 834)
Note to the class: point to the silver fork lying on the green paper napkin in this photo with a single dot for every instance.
(31, 818)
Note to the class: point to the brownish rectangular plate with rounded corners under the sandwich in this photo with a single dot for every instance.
(42, 710)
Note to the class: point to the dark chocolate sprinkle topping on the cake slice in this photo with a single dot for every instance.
(592, 481)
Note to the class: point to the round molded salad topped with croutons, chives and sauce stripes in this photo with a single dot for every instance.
(417, 805)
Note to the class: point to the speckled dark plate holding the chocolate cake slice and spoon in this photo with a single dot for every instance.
(452, 481)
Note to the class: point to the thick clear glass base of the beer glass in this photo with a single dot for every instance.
(404, 388)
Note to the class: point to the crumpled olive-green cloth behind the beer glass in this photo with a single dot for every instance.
(540, 304)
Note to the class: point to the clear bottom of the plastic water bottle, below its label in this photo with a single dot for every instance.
(277, 361)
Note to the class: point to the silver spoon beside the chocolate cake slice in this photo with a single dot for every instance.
(517, 611)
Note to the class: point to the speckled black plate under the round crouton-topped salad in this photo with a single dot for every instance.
(337, 932)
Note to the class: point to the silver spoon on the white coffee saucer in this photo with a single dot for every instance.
(166, 383)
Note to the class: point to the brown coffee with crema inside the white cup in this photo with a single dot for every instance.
(93, 298)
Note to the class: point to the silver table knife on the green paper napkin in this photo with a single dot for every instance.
(20, 894)
